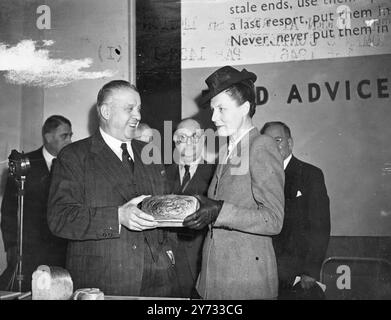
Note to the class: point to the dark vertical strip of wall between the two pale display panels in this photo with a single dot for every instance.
(158, 50)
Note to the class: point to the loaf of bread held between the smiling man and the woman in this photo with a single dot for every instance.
(170, 207)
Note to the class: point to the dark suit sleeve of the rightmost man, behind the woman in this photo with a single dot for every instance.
(319, 225)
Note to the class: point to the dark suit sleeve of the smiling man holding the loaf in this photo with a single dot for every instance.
(70, 215)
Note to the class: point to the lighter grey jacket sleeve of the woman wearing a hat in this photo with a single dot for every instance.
(267, 183)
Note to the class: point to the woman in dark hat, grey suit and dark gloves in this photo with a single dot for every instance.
(245, 203)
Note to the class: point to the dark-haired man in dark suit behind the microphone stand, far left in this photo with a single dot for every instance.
(39, 245)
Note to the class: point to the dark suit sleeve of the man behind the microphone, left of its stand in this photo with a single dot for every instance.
(9, 214)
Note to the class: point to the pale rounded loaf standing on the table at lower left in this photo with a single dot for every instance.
(51, 283)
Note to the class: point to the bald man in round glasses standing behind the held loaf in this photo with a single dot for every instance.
(190, 175)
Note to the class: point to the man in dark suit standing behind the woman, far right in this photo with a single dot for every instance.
(302, 244)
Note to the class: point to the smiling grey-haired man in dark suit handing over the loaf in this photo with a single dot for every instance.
(96, 187)
